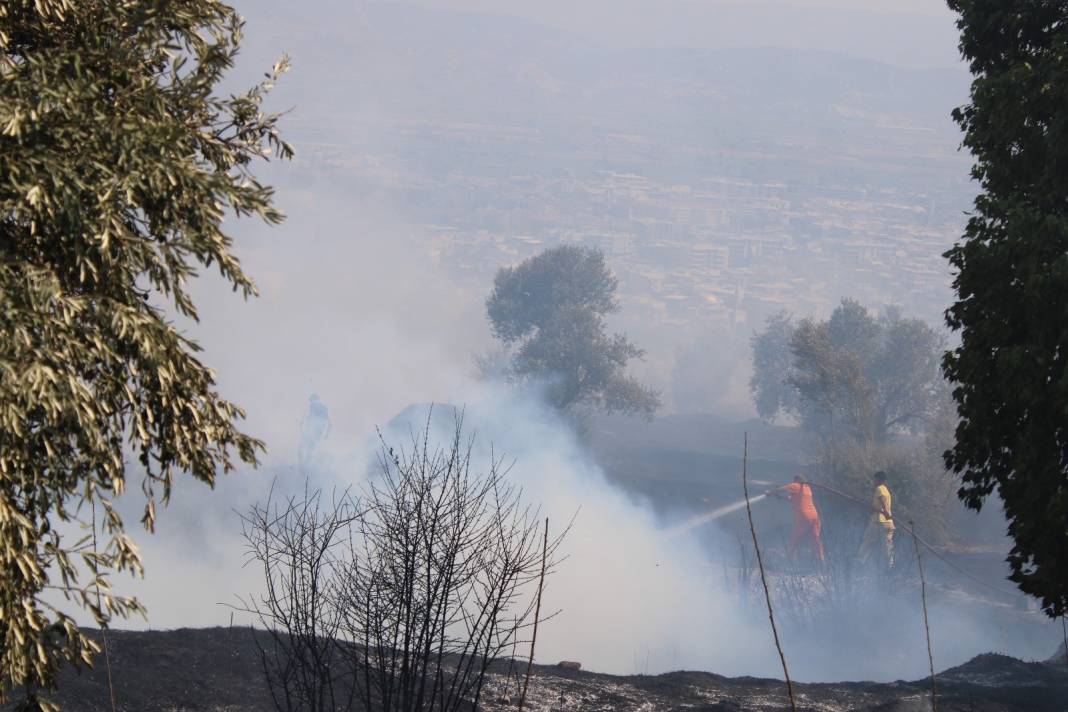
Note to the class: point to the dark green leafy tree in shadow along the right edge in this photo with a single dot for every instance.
(1011, 371)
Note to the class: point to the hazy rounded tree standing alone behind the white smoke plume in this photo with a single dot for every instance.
(551, 310)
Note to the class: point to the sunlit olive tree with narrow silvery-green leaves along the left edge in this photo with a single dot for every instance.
(117, 165)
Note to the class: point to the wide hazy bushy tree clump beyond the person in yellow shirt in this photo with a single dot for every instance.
(855, 375)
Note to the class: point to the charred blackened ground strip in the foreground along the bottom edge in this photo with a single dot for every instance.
(218, 670)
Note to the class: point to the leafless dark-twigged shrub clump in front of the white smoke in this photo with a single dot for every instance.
(403, 597)
